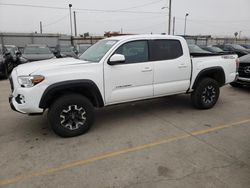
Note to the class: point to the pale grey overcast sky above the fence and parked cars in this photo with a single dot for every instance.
(206, 17)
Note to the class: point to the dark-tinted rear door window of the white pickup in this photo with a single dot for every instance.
(165, 49)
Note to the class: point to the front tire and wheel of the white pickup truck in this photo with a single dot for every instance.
(71, 115)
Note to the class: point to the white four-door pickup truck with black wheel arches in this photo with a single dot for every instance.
(117, 70)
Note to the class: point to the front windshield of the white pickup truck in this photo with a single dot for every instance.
(96, 52)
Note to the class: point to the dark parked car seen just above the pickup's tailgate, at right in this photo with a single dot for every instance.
(234, 48)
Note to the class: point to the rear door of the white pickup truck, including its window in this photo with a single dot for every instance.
(172, 68)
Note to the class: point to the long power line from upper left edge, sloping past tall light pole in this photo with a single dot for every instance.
(80, 9)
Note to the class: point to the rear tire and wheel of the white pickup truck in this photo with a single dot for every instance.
(205, 94)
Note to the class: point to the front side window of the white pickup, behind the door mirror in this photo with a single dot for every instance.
(134, 52)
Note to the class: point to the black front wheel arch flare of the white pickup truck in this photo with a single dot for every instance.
(86, 88)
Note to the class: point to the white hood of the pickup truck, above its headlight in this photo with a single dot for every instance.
(29, 68)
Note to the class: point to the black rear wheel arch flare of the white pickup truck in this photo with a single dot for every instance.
(216, 73)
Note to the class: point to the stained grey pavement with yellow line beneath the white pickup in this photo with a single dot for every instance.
(157, 143)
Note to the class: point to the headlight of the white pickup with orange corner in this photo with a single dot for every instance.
(30, 81)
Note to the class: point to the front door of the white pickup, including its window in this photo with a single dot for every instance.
(131, 80)
